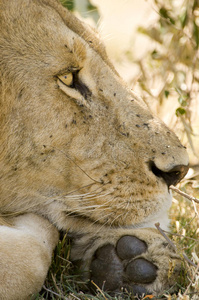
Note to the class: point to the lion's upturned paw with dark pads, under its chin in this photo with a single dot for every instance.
(138, 260)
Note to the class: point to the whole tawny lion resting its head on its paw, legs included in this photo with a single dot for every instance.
(79, 152)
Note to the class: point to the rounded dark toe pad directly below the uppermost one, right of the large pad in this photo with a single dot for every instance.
(141, 271)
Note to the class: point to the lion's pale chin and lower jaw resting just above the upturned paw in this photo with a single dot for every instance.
(76, 220)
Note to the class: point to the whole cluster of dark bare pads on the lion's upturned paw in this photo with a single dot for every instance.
(122, 267)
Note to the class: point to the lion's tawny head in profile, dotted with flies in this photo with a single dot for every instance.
(76, 143)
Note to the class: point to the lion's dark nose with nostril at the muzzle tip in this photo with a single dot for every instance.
(173, 176)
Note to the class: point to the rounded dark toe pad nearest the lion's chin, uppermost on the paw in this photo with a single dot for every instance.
(129, 247)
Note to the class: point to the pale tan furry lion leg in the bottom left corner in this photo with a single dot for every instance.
(25, 256)
